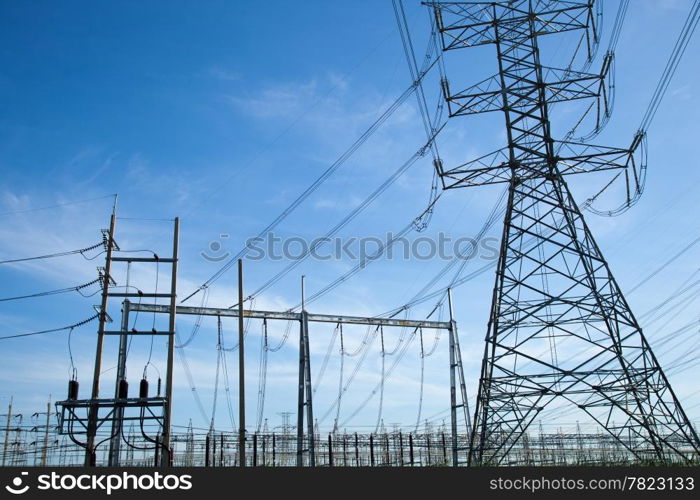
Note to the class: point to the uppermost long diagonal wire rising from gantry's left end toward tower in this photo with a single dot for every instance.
(321, 179)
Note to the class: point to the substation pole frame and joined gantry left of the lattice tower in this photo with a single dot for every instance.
(85, 421)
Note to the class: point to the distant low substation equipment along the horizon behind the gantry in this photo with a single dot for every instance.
(34, 440)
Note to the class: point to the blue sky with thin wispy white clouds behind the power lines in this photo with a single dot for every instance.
(222, 113)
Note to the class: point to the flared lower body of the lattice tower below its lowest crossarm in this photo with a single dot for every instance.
(562, 287)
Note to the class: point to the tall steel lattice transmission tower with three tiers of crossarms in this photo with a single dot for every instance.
(553, 286)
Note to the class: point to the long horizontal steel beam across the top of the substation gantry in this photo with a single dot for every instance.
(292, 316)
